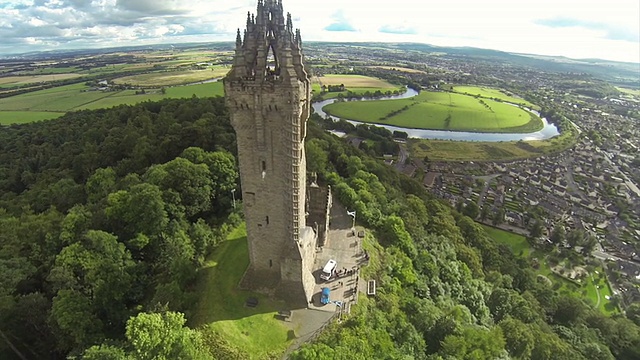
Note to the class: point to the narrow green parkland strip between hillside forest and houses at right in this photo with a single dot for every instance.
(594, 288)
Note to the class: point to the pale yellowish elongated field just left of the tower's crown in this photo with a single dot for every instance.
(173, 77)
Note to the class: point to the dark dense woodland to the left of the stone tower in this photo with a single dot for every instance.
(104, 214)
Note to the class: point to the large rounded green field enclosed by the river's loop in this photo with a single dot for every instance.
(440, 111)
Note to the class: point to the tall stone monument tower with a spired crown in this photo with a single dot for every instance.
(268, 95)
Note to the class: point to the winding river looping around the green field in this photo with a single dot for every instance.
(547, 132)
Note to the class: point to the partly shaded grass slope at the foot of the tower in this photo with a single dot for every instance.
(221, 306)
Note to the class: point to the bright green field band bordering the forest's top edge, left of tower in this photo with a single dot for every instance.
(51, 103)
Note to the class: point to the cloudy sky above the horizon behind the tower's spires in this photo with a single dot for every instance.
(605, 29)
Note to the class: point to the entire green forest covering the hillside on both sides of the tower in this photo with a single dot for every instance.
(106, 216)
